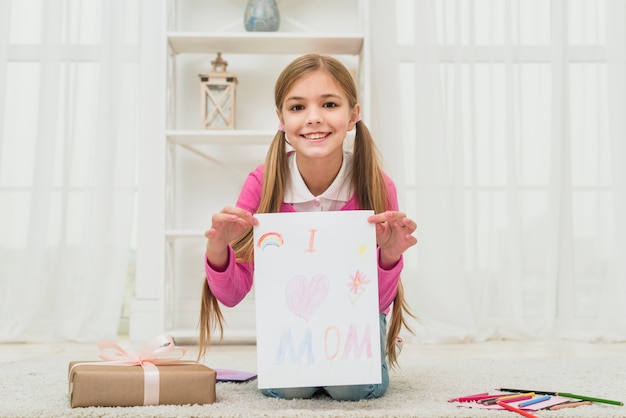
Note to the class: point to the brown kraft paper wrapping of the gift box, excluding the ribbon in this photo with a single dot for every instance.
(91, 384)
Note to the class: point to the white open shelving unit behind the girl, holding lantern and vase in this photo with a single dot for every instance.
(202, 170)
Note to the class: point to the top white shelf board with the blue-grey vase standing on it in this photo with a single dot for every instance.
(265, 42)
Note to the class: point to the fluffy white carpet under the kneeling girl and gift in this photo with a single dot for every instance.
(421, 388)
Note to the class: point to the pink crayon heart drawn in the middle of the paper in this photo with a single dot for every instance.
(304, 296)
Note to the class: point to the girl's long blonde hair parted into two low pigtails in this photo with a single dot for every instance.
(367, 179)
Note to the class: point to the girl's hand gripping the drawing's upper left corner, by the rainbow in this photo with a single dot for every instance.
(226, 225)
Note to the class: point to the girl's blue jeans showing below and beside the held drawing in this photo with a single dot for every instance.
(343, 393)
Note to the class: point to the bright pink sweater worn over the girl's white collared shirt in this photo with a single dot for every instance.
(233, 284)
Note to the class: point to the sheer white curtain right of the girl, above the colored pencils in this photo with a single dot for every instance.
(502, 124)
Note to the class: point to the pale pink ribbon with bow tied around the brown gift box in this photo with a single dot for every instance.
(161, 351)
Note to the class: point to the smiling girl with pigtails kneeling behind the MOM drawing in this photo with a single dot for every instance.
(316, 103)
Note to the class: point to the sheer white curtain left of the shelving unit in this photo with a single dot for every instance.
(69, 86)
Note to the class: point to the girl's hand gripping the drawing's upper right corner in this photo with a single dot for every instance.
(393, 235)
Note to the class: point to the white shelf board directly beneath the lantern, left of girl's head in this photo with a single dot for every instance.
(220, 137)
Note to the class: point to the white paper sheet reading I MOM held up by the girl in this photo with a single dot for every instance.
(308, 332)
